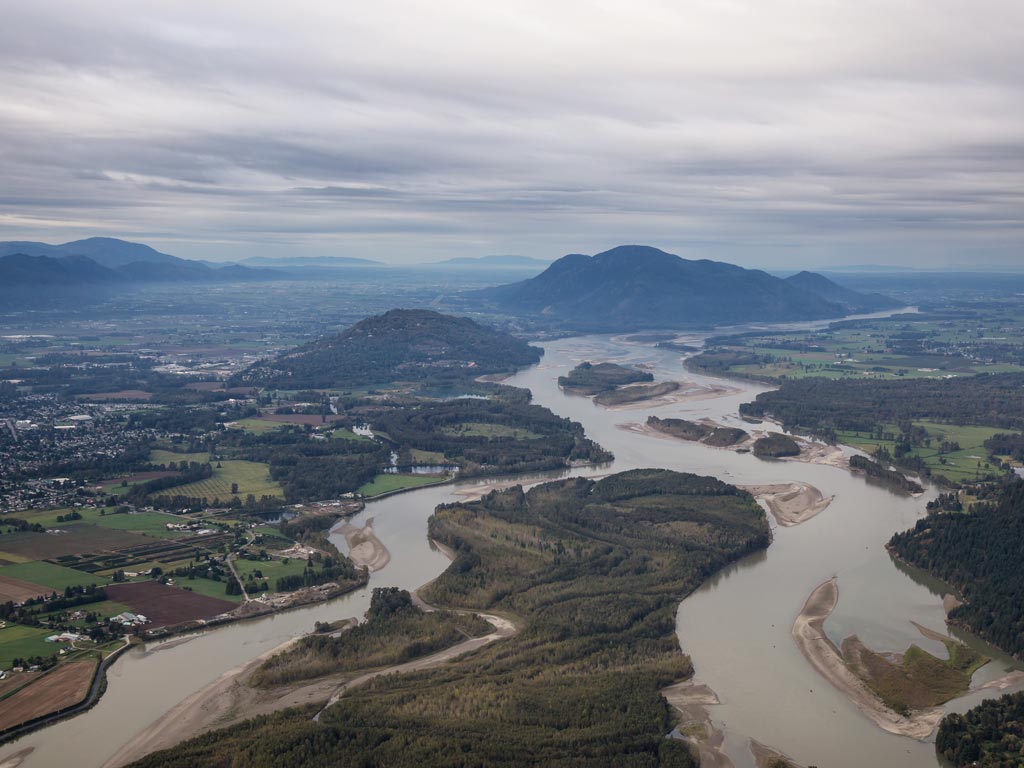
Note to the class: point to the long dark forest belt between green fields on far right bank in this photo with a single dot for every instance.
(992, 400)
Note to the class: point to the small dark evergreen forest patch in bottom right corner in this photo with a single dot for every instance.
(991, 736)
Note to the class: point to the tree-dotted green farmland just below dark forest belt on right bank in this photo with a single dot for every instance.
(959, 466)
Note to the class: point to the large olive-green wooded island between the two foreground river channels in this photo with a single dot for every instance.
(594, 571)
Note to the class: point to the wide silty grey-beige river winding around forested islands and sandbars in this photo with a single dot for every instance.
(737, 627)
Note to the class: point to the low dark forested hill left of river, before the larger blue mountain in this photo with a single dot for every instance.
(411, 346)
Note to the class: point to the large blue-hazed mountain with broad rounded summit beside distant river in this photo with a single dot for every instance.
(635, 287)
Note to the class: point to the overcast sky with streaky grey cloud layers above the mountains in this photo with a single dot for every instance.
(769, 134)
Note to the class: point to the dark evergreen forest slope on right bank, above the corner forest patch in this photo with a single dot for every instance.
(979, 553)
